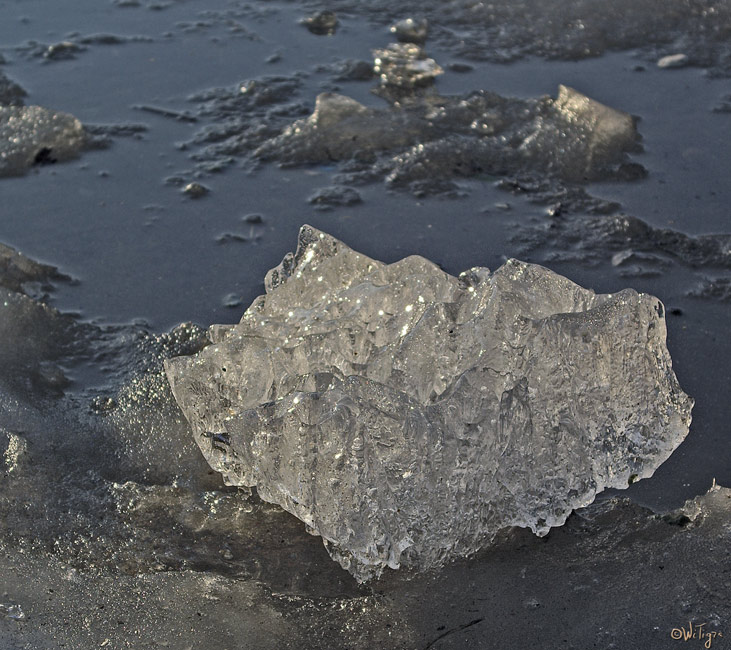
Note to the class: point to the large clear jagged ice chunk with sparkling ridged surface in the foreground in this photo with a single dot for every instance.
(406, 415)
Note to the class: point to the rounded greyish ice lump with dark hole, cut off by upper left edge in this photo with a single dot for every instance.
(31, 135)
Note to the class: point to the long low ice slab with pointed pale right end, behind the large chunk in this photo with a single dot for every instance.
(572, 137)
